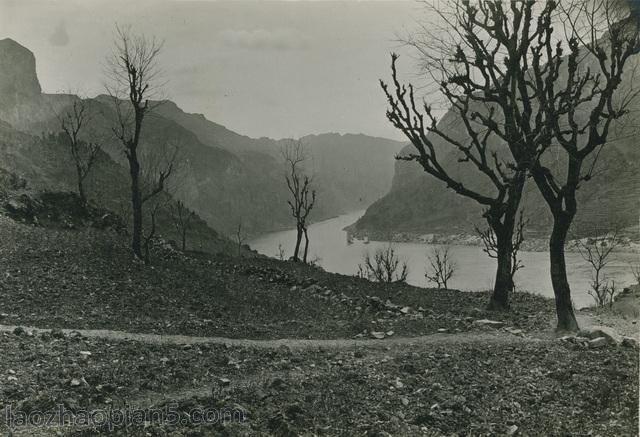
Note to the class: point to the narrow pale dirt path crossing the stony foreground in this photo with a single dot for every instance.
(294, 343)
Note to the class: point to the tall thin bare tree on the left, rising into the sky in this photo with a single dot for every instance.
(133, 73)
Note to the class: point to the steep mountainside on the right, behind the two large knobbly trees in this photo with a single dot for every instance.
(419, 203)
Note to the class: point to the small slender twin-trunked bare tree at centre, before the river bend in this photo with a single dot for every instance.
(302, 196)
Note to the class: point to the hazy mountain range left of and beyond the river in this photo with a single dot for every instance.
(227, 178)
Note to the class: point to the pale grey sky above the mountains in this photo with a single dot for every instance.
(261, 68)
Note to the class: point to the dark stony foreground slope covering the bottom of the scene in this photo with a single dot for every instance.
(400, 360)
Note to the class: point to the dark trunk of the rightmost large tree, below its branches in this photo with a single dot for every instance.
(564, 307)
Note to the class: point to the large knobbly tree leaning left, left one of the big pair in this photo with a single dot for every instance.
(477, 149)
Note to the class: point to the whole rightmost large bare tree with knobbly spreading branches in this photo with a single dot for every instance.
(547, 74)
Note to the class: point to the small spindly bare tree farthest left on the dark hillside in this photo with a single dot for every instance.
(83, 152)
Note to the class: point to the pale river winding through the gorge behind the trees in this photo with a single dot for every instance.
(475, 270)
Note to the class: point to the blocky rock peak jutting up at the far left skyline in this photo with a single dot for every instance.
(18, 79)
